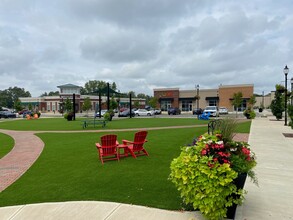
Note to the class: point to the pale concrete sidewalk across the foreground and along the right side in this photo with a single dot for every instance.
(273, 199)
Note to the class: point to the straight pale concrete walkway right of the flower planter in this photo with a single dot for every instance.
(273, 199)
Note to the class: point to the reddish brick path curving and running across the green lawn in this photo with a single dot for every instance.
(28, 148)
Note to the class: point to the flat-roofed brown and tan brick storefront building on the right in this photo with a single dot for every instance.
(188, 100)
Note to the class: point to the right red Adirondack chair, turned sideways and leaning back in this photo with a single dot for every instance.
(135, 148)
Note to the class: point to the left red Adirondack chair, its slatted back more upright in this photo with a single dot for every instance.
(108, 148)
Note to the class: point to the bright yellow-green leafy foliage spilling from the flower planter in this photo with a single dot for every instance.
(204, 183)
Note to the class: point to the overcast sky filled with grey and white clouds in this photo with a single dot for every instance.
(145, 44)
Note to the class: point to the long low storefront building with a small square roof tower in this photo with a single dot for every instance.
(55, 103)
